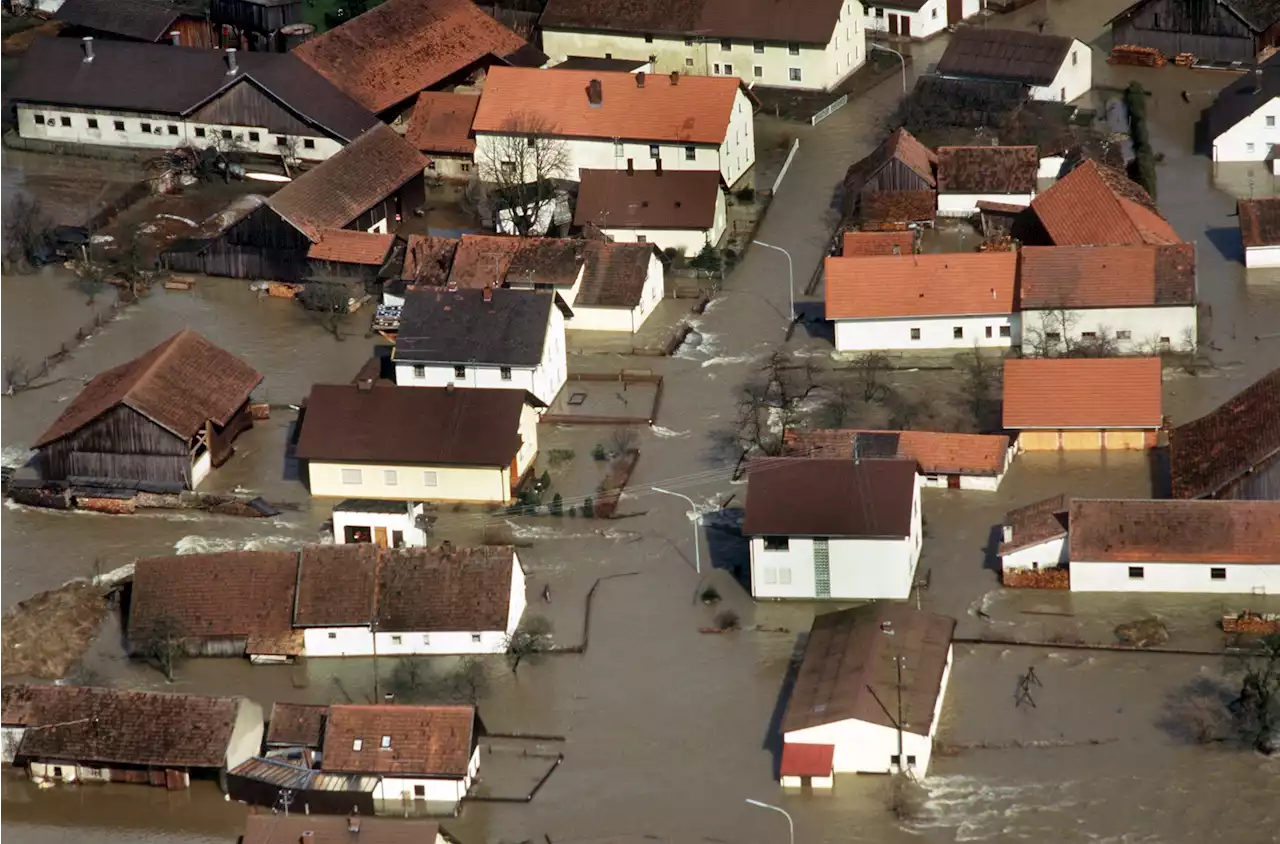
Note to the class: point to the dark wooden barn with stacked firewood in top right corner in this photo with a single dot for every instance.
(1214, 31)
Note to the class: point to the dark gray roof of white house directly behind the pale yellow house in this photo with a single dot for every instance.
(460, 327)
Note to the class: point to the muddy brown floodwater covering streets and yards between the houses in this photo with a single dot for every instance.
(668, 732)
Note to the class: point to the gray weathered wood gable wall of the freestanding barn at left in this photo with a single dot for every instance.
(121, 445)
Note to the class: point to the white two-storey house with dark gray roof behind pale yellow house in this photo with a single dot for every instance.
(510, 340)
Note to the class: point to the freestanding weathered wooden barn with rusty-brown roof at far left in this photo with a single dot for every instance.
(166, 418)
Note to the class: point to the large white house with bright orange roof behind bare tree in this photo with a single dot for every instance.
(607, 121)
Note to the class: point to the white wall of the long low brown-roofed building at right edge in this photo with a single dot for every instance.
(1177, 577)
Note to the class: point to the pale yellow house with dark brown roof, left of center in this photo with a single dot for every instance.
(418, 444)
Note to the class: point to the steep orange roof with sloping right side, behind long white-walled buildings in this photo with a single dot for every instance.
(1098, 206)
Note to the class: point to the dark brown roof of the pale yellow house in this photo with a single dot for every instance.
(415, 426)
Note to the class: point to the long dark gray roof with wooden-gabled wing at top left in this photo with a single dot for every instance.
(132, 76)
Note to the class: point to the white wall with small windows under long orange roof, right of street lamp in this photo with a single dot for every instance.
(936, 332)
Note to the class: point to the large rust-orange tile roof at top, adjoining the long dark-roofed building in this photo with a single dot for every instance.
(401, 48)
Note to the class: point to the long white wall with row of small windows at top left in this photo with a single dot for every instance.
(134, 138)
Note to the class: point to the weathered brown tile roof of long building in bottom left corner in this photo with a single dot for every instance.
(126, 728)
